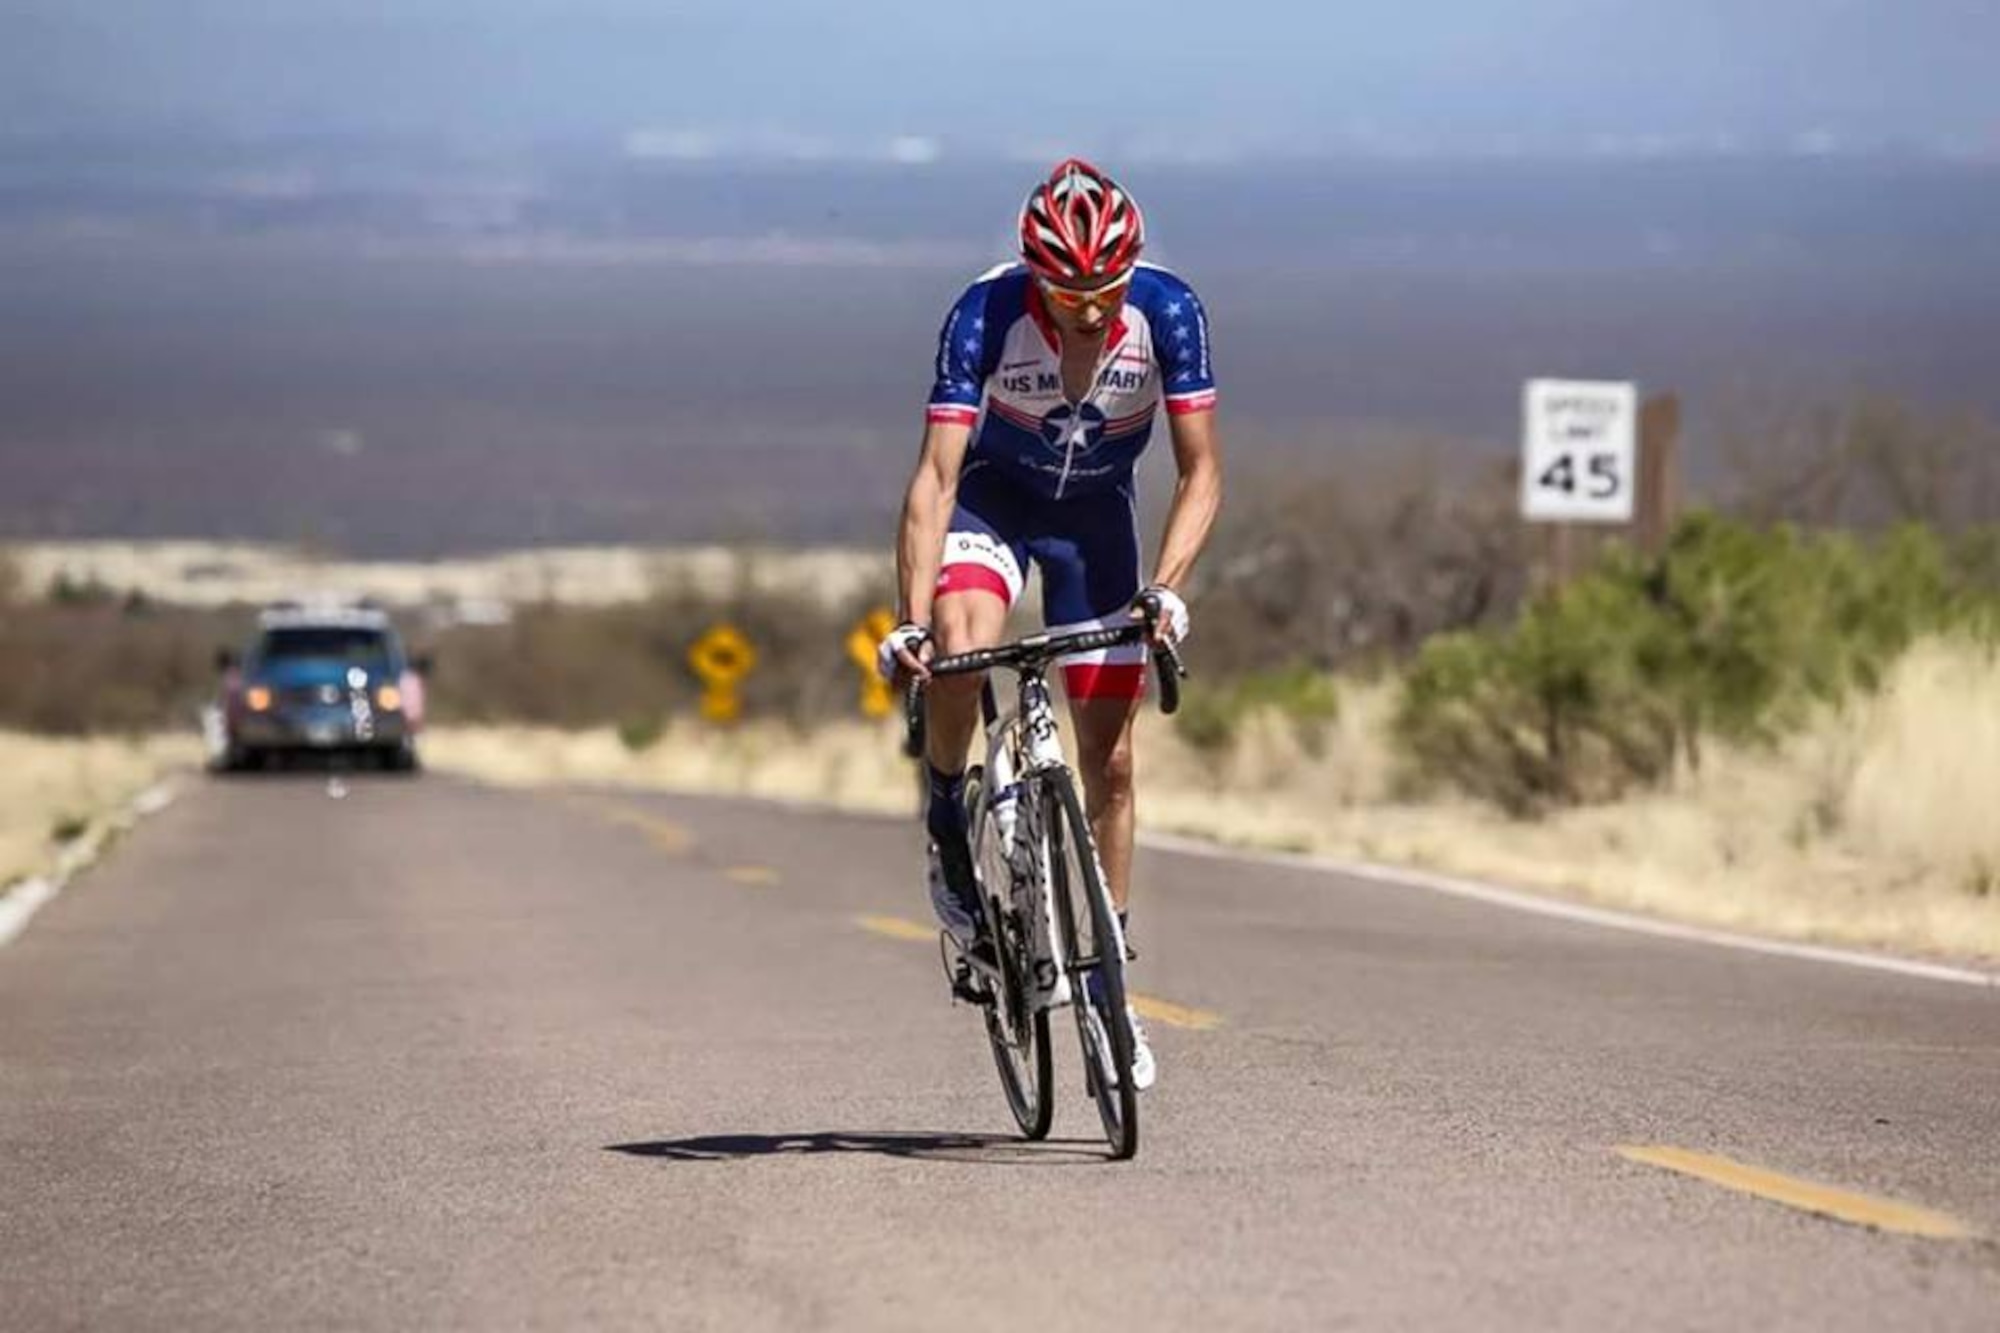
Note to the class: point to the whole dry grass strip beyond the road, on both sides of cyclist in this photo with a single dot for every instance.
(1873, 828)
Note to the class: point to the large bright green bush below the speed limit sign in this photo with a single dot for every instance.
(1735, 631)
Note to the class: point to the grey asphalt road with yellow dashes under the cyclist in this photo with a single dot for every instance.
(435, 1056)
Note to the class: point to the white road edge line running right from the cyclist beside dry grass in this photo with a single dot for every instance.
(1571, 912)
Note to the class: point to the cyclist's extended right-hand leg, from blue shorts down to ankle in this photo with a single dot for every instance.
(1089, 557)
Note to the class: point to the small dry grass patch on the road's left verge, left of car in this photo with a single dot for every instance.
(53, 792)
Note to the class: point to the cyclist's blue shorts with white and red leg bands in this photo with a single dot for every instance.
(1087, 549)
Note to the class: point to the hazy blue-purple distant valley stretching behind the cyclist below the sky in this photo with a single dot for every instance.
(363, 361)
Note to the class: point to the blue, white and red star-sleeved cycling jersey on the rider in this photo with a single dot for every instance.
(1001, 353)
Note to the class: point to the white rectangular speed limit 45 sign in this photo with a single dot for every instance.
(1579, 451)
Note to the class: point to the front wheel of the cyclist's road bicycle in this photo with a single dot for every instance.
(1093, 952)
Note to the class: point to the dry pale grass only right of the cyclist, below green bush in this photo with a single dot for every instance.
(1873, 828)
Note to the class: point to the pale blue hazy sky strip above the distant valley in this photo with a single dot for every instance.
(1227, 77)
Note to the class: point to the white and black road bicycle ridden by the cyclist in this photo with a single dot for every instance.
(1049, 914)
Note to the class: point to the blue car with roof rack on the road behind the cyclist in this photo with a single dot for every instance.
(327, 682)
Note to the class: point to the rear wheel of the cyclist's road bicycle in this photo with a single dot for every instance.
(1017, 1028)
